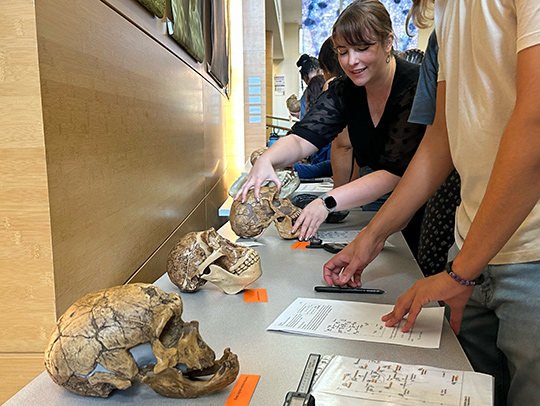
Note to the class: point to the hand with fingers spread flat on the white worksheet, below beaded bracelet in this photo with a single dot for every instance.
(437, 287)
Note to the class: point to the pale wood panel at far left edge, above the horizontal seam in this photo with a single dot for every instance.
(26, 281)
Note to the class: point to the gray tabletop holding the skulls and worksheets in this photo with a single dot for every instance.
(279, 358)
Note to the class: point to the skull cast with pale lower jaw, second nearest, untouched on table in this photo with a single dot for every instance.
(206, 256)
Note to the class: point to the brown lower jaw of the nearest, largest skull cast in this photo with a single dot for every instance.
(172, 383)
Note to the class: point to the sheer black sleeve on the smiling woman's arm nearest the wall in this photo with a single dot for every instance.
(325, 119)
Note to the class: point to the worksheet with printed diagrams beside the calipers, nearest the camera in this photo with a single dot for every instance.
(402, 384)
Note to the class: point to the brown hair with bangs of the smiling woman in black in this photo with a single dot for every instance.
(363, 22)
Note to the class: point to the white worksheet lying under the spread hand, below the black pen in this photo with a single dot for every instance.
(358, 321)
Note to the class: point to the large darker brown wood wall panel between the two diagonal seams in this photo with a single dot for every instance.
(124, 136)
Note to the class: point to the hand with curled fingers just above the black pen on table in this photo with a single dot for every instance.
(346, 267)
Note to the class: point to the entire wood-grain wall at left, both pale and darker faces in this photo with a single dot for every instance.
(112, 148)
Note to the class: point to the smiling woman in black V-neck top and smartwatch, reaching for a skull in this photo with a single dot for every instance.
(373, 100)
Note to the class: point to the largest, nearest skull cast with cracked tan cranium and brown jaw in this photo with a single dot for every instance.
(97, 343)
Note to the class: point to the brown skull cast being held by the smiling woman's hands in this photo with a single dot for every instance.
(251, 218)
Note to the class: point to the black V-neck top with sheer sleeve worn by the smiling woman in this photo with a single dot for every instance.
(389, 146)
